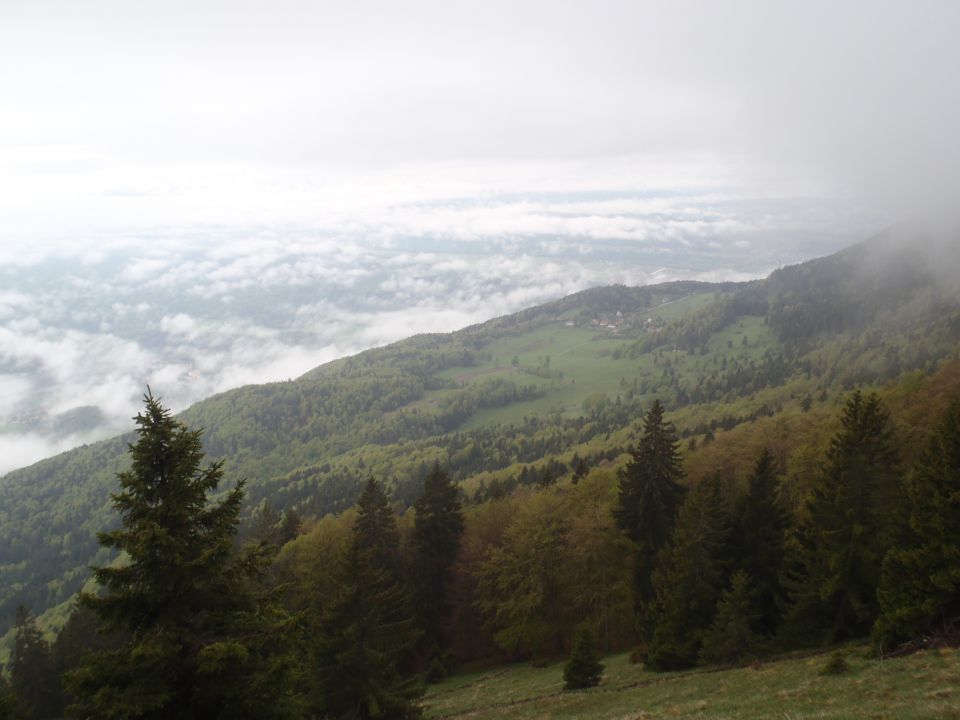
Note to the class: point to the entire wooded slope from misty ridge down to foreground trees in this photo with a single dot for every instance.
(700, 474)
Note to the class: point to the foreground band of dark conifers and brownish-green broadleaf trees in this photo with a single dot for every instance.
(349, 615)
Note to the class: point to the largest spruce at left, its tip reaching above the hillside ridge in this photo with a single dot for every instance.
(202, 638)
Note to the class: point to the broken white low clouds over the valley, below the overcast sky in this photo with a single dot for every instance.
(191, 312)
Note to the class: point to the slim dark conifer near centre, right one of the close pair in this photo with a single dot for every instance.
(438, 525)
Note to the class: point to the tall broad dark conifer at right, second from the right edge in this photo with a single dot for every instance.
(850, 521)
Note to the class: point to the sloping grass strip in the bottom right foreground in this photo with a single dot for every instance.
(924, 685)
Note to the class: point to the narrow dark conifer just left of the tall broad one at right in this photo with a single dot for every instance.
(757, 543)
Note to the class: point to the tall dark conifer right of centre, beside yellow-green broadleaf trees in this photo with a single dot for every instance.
(649, 496)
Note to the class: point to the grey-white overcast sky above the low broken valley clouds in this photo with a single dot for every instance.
(130, 114)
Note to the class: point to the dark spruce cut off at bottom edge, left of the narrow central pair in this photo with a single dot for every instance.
(368, 633)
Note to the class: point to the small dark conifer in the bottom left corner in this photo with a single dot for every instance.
(32, 676)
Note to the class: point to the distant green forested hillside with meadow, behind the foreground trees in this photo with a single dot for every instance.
(540, 396)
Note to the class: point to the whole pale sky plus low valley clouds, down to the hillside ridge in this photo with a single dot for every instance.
(202, 194)
